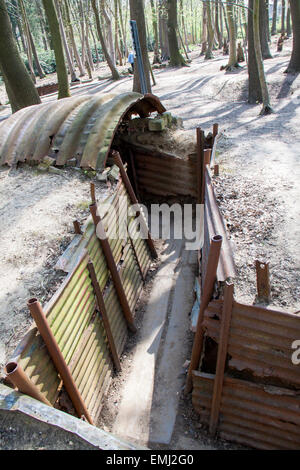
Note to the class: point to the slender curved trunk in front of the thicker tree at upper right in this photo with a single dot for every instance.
(266, 109)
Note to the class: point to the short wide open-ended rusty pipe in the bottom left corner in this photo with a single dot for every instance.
(16, 375)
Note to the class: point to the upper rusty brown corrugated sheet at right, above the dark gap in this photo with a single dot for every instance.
(260, 341)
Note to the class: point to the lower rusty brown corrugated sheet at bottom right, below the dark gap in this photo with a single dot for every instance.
(256, 415)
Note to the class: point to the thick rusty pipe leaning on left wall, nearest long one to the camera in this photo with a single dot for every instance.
(58, 359)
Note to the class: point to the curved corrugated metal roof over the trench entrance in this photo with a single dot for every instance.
(81, 127)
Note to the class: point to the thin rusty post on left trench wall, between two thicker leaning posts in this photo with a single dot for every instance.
(102, 309)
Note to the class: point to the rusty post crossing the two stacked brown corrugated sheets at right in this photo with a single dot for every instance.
(221, 358)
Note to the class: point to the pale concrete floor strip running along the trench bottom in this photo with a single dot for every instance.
(150, 395)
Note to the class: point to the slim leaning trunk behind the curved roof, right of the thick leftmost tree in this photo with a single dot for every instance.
(61, 69)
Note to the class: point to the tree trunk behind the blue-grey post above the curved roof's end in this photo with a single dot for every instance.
(137, 13)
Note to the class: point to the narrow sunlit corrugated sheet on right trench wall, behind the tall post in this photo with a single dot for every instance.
(214, 225)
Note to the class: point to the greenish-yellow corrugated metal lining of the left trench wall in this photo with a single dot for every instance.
(72, 315)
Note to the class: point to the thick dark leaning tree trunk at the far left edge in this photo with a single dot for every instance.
(19, 86)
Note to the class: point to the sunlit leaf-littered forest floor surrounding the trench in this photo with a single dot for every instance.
(257, 188)
